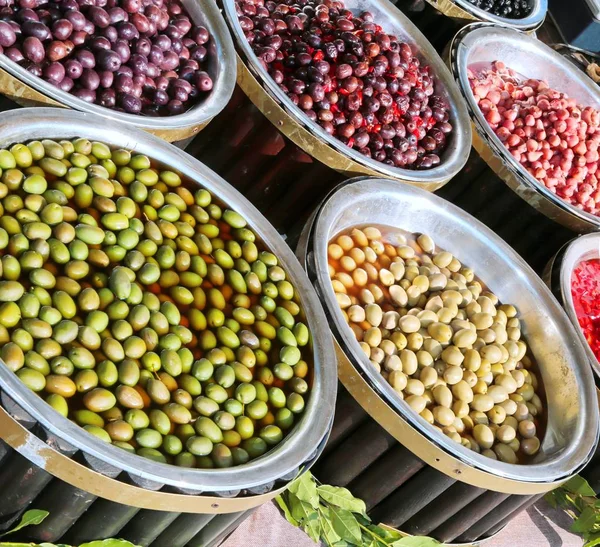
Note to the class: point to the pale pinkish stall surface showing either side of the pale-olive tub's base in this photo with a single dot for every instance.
(539, 526)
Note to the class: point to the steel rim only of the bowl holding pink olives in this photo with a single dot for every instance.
(460, 45)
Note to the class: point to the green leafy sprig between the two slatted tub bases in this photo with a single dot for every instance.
(333, 515)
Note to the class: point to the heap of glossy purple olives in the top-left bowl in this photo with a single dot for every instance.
(138, 56)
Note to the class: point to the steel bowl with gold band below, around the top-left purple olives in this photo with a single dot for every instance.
(28, 90)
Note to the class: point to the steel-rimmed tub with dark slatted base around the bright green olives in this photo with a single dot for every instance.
(94, 490)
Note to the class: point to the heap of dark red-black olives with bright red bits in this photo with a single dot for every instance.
(360, 84)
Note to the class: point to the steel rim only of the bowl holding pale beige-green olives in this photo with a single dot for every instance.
(345, 196)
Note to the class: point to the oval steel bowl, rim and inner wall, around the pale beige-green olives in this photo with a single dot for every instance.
(572, 409)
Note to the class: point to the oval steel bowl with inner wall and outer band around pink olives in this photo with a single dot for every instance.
(485, 43)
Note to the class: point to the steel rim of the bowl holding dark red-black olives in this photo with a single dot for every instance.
(461, 135)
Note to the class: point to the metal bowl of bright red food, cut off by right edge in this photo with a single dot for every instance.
(558, 277)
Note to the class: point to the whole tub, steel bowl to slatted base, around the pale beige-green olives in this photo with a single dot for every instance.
(410, 475)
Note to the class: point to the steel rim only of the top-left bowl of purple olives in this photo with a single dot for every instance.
(199, 114)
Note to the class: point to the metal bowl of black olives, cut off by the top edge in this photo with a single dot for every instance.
(466, 10)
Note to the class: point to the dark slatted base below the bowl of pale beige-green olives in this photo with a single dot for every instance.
(404, 492)
